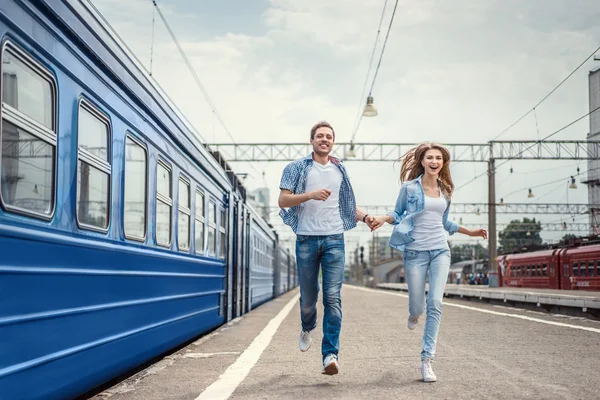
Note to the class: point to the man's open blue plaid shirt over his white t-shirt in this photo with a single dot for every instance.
(294, 179)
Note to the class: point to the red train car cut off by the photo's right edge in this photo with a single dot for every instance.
(581, 268)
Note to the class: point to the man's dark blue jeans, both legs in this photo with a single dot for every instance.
(328, 252)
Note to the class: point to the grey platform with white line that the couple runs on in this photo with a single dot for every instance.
(484, 352)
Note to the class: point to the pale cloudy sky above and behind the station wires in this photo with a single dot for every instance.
(453, 72)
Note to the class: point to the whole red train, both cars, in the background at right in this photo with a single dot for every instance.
(572, 268)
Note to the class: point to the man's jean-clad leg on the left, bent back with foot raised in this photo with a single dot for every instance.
(308, 259)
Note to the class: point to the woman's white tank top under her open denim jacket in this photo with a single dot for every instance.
(428, 230)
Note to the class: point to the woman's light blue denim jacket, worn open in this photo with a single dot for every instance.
(411, 201)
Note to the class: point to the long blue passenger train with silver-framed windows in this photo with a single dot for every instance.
(121, 235)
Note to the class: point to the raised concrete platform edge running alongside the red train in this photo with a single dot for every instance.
(584, 300)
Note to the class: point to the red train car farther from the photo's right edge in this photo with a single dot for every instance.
(539, 269)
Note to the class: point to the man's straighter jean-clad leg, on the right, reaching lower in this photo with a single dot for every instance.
(332, 261)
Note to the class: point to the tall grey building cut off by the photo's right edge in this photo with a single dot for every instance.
(593, 175)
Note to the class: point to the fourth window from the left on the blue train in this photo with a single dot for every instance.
(164, 202)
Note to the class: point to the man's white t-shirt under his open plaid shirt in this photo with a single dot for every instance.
(317, 217)
